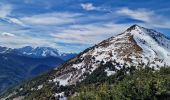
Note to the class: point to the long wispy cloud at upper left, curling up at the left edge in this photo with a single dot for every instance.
(55, 18)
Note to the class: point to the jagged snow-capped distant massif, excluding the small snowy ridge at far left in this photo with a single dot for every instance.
(39, 52)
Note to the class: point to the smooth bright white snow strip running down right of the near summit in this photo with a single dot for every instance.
(151, 48)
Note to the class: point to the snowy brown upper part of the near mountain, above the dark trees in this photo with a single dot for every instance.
(134, 47)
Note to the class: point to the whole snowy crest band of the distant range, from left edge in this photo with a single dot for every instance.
(37, 52)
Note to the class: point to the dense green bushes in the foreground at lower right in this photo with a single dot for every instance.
(143, 84)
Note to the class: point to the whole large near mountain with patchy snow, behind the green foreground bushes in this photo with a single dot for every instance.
(110, 60)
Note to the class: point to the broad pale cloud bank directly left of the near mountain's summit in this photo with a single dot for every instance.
(88, 34)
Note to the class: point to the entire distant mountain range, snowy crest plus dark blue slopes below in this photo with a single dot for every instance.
(20, 64)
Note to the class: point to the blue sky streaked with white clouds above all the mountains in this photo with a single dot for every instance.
(73, 25)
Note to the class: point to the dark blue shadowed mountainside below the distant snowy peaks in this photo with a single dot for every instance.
(16, 68)
